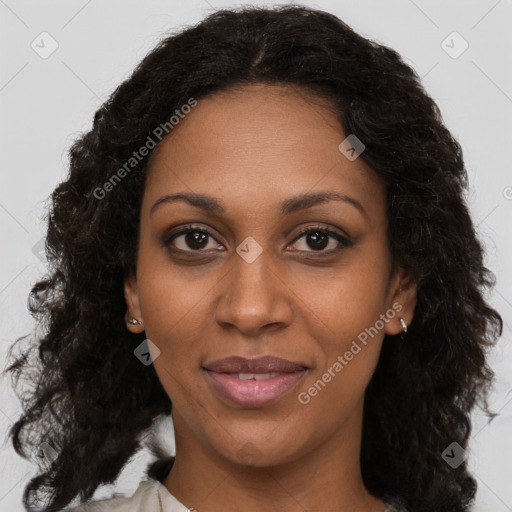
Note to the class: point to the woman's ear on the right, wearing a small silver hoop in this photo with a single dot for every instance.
(402, 299)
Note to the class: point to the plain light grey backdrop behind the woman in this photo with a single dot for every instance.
(46, 102)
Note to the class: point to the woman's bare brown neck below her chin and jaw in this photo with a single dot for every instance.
(326, 478)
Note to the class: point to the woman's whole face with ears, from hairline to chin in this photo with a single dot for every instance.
(257, 163)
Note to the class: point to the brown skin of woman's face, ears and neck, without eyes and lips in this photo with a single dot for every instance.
(253, 147)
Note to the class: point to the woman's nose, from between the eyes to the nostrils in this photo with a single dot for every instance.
(254, 297)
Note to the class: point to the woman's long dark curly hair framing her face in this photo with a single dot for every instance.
(93, 400)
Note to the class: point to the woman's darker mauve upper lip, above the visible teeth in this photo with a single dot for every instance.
(265, 364)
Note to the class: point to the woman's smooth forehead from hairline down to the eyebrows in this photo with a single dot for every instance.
(256, 144)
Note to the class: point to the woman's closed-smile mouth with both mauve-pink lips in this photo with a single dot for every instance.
(253, 383)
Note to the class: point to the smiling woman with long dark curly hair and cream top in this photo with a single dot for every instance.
(264, 235)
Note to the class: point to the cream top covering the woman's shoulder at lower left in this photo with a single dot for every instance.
(150, 496)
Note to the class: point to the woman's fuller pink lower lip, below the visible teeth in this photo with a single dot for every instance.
(254, 393)
